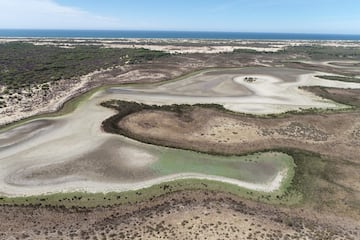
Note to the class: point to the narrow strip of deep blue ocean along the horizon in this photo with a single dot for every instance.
(8, 33)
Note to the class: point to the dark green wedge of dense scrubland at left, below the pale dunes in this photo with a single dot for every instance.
(23, 64)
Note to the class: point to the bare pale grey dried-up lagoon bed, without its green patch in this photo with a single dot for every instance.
(64, 153)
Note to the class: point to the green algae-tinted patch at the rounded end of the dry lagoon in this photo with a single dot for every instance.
(255, 168)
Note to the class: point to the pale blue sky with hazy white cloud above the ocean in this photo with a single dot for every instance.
(280, 16)
